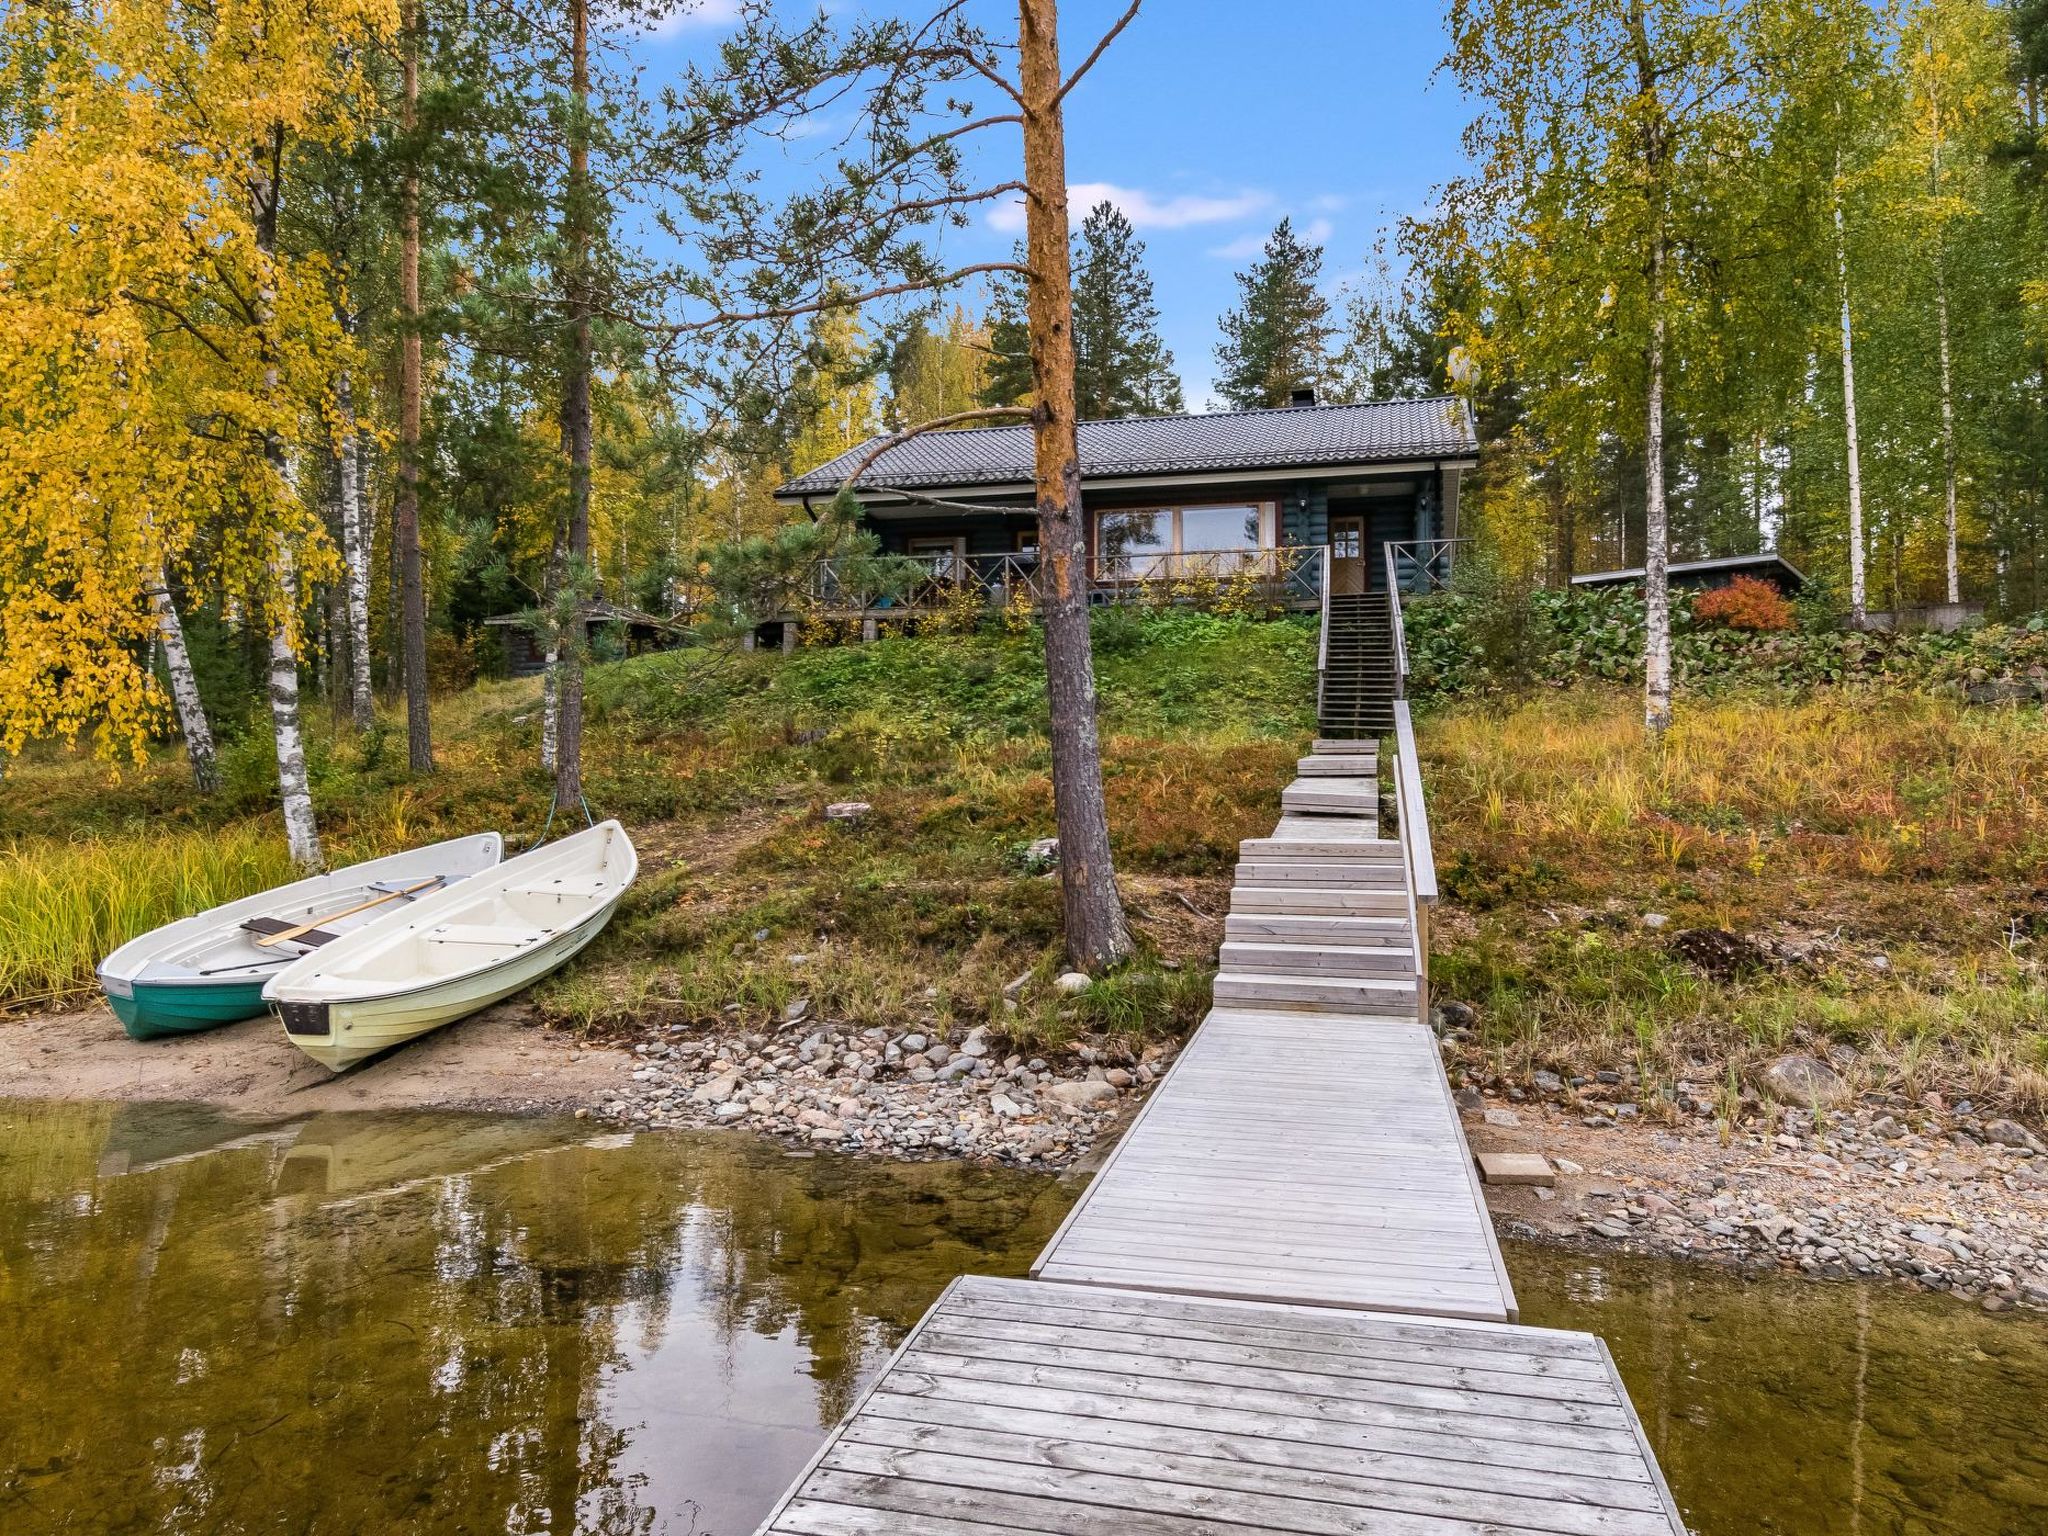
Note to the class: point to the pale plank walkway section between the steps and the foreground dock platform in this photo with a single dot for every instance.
(1295, 1158)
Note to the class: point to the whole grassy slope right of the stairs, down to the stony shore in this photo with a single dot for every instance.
(1875, 857)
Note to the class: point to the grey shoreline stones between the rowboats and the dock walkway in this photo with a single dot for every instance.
(902, 1095)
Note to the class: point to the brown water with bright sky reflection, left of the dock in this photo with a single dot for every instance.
(364, 1324)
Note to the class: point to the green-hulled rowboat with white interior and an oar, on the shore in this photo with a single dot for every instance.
(204, 972)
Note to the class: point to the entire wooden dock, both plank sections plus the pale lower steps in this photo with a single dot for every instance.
(1279, 1308)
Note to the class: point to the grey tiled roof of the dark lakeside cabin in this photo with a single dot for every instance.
(1293, 437)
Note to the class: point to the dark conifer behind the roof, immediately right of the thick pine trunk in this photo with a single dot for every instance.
(1121, 366)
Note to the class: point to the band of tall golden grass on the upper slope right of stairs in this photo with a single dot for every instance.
(1848, 783)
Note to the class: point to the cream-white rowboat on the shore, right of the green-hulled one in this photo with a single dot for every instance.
(454, 953)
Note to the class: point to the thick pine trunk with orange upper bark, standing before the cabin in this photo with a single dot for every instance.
(1091, 906)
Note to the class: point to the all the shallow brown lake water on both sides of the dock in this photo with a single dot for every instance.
(460, 1324)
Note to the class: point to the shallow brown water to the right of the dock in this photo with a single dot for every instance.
(1805, 1408)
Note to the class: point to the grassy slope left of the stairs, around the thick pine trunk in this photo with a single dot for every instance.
(722, 767)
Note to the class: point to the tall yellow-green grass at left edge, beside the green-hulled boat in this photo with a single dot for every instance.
(67, 904)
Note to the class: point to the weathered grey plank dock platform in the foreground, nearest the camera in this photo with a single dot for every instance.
(1031, 1408)
